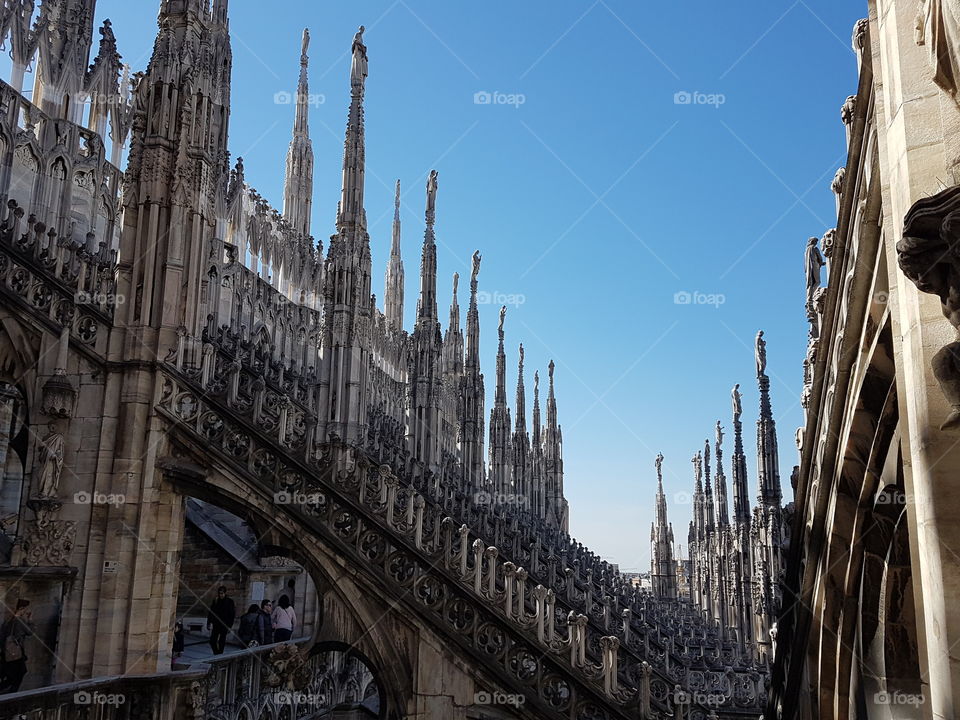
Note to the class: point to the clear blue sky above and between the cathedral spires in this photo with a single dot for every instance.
(594, 192)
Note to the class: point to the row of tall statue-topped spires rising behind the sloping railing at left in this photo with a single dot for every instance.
(423, 389)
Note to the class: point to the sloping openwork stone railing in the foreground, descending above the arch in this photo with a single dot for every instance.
(534, 642)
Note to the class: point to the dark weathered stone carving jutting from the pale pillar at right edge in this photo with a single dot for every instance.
(929, 255)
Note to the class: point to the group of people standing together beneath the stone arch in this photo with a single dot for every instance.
(261, 625)
